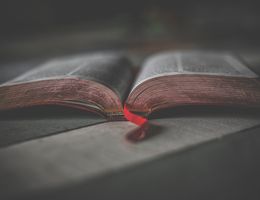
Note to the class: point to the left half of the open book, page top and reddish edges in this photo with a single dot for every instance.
(96, 82)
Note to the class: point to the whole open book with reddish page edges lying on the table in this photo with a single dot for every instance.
(105, 82)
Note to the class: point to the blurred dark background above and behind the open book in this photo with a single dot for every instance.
(39, 29)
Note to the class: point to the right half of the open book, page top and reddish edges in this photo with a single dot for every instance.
(193, 78)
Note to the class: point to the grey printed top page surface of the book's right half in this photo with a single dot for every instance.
(192, 62)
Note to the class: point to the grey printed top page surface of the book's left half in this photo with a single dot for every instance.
(99, 67)
